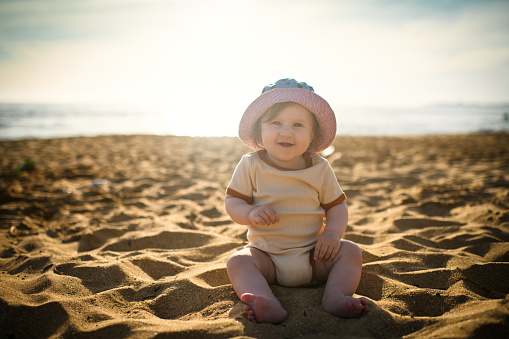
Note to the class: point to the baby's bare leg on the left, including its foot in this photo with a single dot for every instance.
(250, 272)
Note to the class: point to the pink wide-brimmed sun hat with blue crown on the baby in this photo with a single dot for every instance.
(290, 90)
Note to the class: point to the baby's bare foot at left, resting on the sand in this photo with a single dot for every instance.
(263, 310)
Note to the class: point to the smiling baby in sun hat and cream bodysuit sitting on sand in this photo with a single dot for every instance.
(282, 192)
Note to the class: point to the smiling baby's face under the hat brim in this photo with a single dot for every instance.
(288, 136)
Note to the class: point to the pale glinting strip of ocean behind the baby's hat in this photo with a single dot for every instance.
(24, 121)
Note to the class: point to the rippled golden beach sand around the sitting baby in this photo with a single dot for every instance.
(127, 236)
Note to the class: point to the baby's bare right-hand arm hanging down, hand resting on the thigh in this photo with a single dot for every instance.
(327, 246)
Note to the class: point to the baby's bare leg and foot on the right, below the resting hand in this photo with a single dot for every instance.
(342, 281)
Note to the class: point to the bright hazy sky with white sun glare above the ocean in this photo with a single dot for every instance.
(211, 58)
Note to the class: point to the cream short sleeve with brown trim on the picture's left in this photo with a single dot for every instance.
(241, 184)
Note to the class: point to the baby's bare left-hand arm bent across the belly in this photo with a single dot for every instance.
(245, 214)
